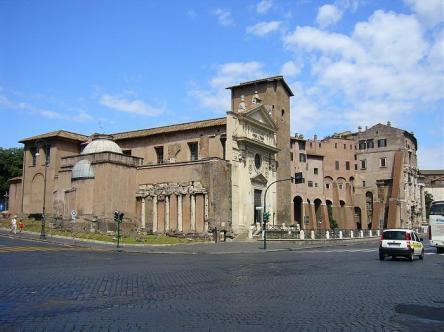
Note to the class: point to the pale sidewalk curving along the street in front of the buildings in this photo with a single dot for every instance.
(210, 248)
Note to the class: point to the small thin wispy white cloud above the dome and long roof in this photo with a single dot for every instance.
(135, 106)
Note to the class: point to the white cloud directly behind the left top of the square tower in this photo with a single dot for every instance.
(216, 97)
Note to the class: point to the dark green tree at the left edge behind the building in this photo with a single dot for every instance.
(11, 161)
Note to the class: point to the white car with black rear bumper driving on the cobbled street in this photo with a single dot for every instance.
(401, 242)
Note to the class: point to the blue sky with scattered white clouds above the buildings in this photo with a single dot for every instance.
(112, 65)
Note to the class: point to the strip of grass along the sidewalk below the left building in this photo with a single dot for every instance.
(35, 226)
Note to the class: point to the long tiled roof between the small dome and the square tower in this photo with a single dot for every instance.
(172, 128)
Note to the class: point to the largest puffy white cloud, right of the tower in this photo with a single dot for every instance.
(387, 68)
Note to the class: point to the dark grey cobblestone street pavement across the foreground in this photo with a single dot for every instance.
(331, 289)
